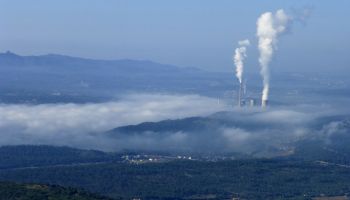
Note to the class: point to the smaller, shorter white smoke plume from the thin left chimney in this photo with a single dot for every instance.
(238, 58)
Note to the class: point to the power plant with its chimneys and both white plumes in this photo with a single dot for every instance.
(269, 27)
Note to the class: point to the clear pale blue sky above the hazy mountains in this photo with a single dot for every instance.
(197, 33)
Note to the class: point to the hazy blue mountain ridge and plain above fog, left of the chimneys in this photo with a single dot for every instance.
(33, 79)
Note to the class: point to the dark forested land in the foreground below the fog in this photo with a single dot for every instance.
(295, 177)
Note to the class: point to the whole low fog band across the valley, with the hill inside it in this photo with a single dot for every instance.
(238, 130)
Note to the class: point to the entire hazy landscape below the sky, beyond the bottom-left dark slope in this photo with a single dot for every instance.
(171, 126)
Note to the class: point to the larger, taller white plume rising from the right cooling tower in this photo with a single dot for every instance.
(269, 27)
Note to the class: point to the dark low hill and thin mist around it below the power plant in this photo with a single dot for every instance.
(250, 131)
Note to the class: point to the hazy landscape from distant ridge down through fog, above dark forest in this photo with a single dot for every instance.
(46, 103)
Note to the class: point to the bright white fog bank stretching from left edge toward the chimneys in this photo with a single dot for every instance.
(79, 124)
